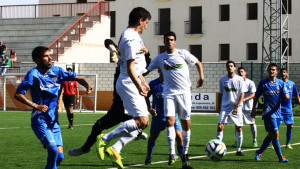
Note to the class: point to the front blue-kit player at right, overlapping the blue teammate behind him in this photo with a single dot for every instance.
(274, 91)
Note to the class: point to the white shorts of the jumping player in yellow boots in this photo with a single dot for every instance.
(134, 103)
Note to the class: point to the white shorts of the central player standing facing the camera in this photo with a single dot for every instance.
(180, 104)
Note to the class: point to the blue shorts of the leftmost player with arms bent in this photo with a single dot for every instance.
(48, 134)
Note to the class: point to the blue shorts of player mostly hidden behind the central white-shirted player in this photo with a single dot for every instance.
(158, 125)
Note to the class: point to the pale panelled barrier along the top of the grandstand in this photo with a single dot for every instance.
(45, 10)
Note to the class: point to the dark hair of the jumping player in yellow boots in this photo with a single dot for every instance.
(138, 13)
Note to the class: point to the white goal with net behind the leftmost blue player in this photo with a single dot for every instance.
(10, 82)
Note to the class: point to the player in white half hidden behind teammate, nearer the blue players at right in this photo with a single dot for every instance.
(247, 104)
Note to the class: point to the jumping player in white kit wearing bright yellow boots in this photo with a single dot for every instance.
(131, 86)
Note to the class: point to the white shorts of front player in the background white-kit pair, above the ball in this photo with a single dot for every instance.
(237, 118)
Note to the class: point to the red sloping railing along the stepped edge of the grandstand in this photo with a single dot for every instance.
(75, 31)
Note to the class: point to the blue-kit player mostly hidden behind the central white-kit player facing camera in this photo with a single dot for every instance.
(159, 123)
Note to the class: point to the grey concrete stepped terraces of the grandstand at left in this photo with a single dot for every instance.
(23, 34)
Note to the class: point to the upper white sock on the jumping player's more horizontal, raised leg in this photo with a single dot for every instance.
(125, 128)
